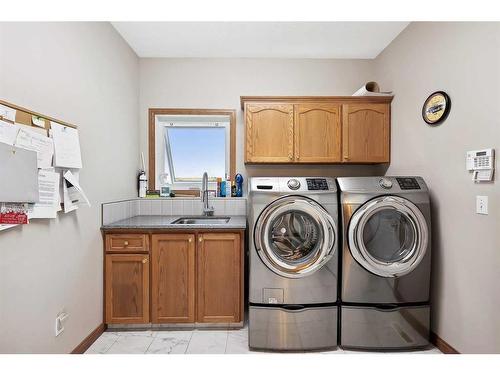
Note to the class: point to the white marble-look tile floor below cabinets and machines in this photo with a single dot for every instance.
(186, 342)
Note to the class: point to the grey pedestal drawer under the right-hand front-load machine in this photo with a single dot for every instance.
(385, 329)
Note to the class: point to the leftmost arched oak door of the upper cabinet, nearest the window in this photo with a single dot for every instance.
(269, 133)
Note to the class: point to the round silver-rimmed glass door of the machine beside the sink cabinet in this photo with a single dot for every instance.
(295, 236)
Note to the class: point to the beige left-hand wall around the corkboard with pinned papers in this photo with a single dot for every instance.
(86, 74)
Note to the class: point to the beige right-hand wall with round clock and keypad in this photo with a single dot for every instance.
(462, 59)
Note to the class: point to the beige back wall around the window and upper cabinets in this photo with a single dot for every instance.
(219, 83)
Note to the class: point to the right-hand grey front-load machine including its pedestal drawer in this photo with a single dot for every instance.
(386, 263)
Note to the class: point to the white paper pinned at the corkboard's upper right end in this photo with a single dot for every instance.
(66, 146)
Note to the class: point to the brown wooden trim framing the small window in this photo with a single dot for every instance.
(153, 112)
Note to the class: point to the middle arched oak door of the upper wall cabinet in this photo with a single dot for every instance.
(317, 133)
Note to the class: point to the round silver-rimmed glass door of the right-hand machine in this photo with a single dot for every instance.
(388, 236)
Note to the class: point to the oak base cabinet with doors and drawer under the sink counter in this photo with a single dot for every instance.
(195, 277)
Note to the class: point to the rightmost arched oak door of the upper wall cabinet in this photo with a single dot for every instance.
(366, 133)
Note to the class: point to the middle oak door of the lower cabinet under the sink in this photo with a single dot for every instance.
(172, 282)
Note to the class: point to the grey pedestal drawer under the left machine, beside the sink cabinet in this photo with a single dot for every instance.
(292, 328)
